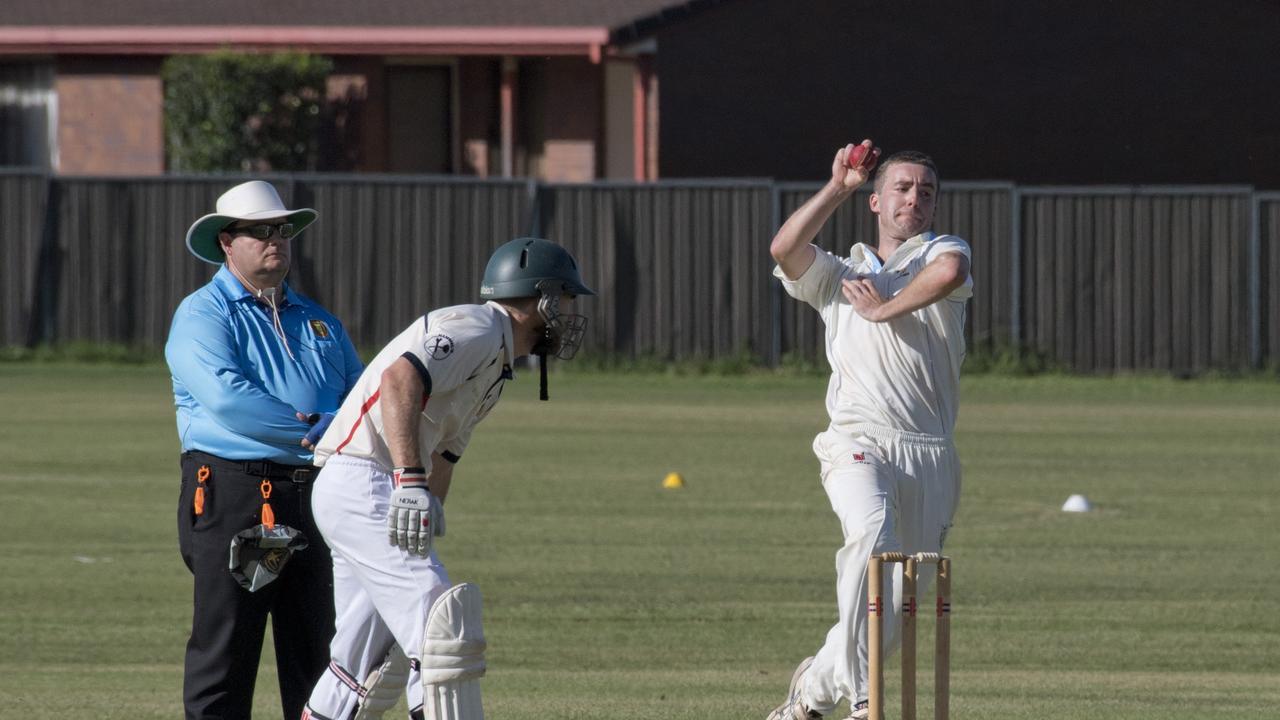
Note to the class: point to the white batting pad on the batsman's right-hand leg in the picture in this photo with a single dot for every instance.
(454, 662)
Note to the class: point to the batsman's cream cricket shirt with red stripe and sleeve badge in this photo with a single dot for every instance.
(464, 356)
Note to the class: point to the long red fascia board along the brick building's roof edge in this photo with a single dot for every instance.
(159, 40)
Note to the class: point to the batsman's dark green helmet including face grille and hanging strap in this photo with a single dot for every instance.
(531, 267)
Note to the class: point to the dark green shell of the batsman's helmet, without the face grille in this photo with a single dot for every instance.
(531, 267)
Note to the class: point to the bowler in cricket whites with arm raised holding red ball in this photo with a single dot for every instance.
(894, 315)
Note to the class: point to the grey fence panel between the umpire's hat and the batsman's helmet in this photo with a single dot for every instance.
(391, 250)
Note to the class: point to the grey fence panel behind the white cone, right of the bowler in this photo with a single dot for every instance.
(1137, 279)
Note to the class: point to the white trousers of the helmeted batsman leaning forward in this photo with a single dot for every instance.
(381, 593)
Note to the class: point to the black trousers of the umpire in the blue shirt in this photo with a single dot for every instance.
(230, 622)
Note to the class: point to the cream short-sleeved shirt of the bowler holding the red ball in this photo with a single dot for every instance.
(904, 373)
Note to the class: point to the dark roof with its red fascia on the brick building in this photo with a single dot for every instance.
(409, 28)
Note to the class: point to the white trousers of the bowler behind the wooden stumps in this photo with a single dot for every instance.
(893, 493)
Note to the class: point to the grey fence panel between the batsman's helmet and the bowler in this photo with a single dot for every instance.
(683, 268)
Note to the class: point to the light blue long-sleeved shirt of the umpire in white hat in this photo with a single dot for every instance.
(234, 382)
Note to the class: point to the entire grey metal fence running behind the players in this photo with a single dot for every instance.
(1100, 280)
